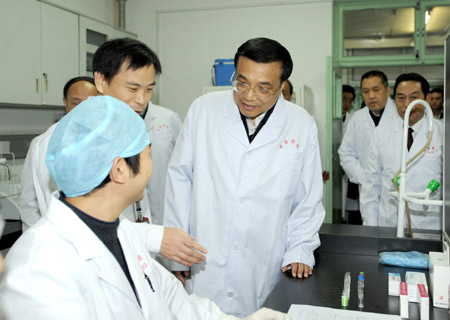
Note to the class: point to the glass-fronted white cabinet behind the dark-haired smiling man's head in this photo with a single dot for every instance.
(92, 35)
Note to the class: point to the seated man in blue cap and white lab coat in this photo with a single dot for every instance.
(80, 261)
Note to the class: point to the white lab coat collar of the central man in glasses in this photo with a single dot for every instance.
(270, 131)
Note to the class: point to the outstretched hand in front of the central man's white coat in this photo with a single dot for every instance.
(180, 247)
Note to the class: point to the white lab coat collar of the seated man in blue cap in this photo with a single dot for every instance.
(89, 246)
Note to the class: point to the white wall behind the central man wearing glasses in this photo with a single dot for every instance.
(189, 36)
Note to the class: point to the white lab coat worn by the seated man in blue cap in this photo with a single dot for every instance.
(59, 269)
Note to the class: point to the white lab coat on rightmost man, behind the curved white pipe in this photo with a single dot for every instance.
(378, 207)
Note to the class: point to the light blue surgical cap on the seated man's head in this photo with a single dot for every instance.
(86, 141)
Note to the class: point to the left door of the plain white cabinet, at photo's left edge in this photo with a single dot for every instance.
(20, 62)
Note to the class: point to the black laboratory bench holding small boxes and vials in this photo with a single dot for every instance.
(354, 248)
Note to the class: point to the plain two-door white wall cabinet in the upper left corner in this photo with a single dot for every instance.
(39, 52)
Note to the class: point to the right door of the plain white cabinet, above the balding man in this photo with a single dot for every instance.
(60, 58)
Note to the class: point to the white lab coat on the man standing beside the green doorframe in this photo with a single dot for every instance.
(355, 144)
